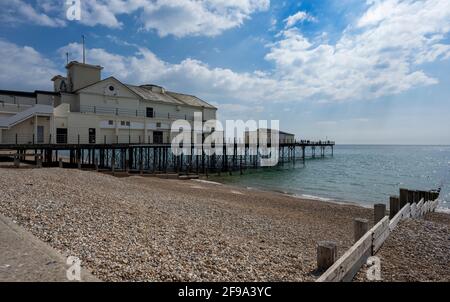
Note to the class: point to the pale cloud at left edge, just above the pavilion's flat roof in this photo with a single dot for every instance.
(23, 68)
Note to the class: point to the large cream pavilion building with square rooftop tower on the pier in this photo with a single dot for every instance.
(85, 109)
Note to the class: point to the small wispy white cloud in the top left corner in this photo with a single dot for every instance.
(14, 12)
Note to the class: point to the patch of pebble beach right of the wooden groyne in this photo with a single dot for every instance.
(417, 251)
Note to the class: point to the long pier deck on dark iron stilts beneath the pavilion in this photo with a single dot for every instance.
(159, 158)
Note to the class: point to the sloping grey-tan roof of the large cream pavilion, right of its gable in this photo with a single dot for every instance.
(173, 98)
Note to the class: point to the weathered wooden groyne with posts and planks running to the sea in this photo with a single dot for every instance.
(409, 204)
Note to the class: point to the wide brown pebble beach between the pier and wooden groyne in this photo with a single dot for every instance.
(150, 229)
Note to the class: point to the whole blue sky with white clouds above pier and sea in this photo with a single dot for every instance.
(354, 71)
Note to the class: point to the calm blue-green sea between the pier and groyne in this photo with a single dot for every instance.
(362, 174)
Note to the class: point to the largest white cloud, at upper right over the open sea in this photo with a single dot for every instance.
(381, 54)
